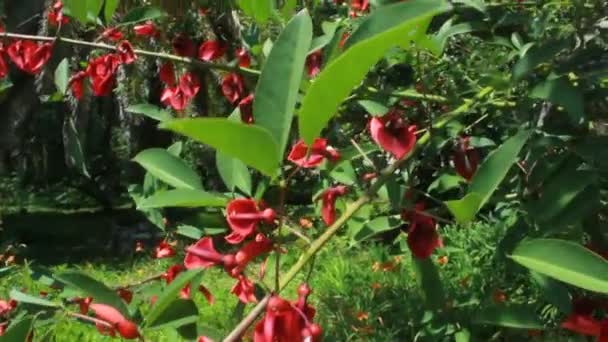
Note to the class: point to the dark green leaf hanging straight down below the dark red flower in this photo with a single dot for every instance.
(429, 283)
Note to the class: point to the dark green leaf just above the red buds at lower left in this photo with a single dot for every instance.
(91, 287)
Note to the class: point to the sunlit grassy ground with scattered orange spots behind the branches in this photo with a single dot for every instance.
(363, 293)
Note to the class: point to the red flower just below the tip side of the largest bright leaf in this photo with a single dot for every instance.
(393, 135)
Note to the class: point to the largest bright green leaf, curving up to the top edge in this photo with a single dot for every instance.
(386, 27)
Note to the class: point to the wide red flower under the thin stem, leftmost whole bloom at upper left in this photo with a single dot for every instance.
(29, 56)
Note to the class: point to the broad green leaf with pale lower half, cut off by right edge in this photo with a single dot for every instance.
(565, 261)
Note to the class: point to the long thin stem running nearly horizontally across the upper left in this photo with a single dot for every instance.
(178, 59)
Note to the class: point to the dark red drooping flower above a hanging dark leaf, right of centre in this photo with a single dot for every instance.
(422, 237)
